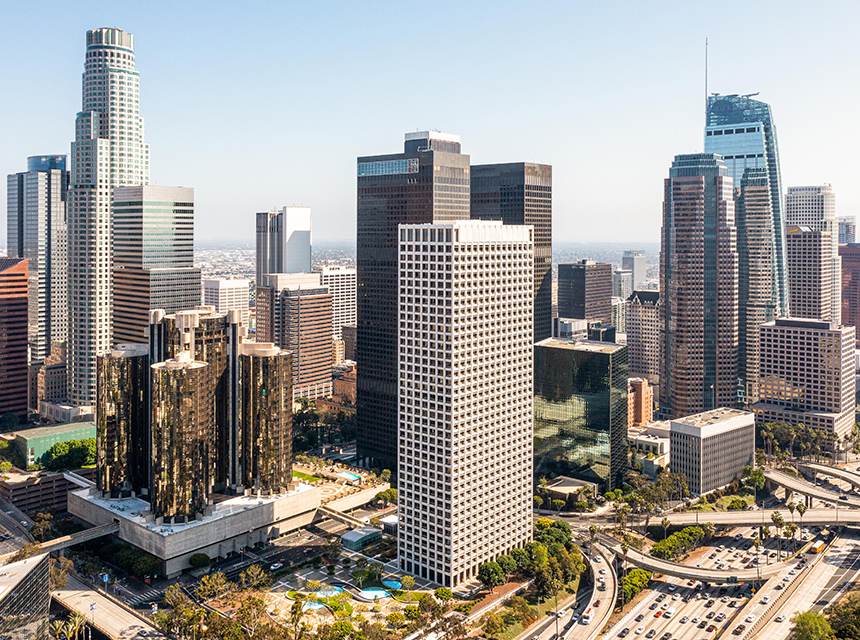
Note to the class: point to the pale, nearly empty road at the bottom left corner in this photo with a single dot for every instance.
(103, 613)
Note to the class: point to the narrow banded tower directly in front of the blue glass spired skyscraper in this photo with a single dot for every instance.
(756, 293)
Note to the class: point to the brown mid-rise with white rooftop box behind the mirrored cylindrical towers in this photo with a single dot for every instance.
(295, 312)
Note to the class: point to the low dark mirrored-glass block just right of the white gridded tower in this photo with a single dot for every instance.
(580, 411)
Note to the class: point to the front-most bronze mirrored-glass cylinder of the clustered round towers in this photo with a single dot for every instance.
(183, 439)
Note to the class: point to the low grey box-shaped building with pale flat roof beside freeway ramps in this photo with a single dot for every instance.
(711, 449)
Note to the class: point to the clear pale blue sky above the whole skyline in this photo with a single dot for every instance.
(258, 104)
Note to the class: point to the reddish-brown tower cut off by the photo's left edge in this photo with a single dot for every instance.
(14, 294)
